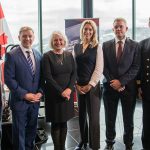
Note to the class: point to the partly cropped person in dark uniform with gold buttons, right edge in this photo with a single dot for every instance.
(145, 87)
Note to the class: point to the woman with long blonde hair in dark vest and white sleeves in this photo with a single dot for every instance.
(89, 59)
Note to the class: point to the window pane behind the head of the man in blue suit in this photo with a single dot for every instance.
(21, 13)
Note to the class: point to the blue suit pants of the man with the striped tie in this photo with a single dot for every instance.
(24, 125)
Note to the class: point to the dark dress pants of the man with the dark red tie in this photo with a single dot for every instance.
(128, 101)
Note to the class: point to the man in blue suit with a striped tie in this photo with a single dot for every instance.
(22, 76)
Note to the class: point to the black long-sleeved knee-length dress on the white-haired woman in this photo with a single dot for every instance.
(59, 74)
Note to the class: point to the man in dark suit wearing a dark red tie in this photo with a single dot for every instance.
(121, 65)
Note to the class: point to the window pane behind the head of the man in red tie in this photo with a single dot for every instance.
(107, 11)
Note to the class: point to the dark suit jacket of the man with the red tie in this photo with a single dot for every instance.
(127, 68)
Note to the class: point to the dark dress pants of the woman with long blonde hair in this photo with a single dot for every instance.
(89, 104)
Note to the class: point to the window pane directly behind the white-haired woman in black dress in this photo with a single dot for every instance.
(54, 15)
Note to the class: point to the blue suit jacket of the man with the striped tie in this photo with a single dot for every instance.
(18, 75)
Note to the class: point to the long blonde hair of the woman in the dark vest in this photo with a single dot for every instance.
(94, 39)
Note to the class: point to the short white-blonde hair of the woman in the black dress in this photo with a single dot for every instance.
(60, 34)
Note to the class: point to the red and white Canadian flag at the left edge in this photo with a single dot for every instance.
(5, 39)
